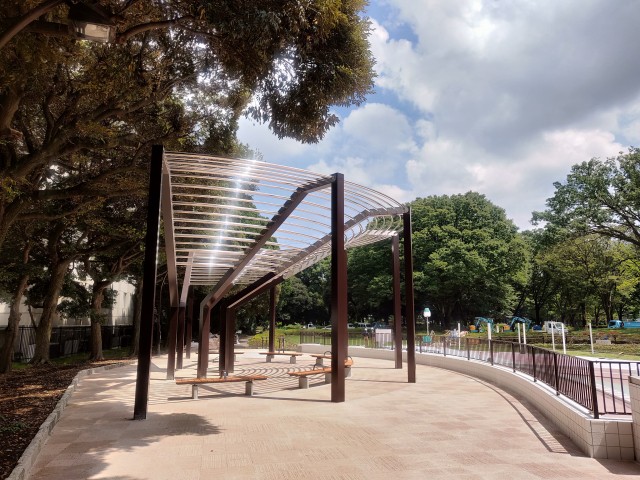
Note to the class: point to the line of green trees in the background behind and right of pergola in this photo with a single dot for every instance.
(580, 265)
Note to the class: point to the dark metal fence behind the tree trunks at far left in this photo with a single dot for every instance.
(67, 341)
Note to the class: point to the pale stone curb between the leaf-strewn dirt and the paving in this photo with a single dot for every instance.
(30, 455)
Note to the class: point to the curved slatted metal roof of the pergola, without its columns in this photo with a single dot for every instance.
(236, 220)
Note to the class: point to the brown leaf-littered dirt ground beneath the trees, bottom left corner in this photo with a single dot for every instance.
(27, 397)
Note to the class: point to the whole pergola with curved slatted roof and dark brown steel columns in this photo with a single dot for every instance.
(240, 227)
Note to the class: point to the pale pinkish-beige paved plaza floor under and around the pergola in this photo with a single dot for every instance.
(446, 426)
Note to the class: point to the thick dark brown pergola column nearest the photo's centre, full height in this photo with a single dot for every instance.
(339, 344)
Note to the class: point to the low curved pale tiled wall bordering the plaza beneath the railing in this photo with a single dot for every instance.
(610, 438)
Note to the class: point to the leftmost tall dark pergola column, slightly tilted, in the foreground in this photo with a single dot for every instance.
(149, 285)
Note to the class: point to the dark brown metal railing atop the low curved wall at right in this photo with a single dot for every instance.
(601, 386)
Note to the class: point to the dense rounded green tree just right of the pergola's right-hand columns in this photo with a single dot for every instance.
(467, 257)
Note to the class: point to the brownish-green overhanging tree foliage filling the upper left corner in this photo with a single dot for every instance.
(173, 64)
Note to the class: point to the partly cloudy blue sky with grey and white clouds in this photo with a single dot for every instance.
(497, 97)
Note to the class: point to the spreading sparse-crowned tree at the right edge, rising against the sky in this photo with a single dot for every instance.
(601, 197)
